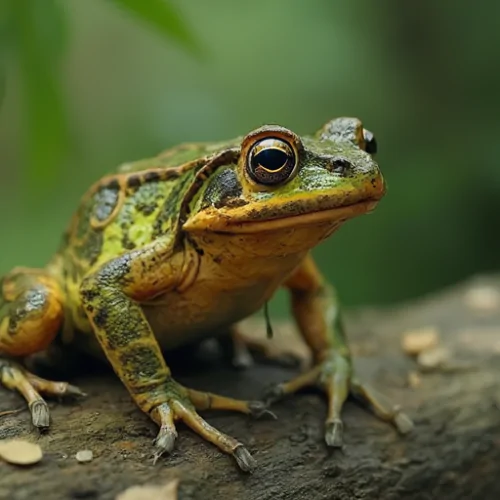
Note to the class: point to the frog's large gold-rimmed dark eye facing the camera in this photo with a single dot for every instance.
(271, 161)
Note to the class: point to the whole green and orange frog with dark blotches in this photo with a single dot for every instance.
(184, 246)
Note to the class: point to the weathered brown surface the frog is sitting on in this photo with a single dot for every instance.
(453, 453)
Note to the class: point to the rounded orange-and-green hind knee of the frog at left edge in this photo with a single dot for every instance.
(31, 314)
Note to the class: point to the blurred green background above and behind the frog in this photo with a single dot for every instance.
(93, 83)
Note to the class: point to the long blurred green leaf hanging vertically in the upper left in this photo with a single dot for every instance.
(39, 42)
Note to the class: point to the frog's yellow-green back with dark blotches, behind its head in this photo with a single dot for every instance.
(128, 209)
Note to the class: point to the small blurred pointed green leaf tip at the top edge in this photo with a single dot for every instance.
(163, 16)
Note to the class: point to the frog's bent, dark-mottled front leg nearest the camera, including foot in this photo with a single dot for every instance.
(111, 297)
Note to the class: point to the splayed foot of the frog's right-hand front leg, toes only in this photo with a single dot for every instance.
(334, 376)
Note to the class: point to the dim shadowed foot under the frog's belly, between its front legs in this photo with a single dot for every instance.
(242, 347)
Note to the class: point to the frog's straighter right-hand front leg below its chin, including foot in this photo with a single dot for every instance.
(318, 316)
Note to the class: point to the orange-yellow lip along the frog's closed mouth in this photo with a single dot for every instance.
(241, 221)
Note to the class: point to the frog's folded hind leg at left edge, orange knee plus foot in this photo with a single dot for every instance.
(31, 314)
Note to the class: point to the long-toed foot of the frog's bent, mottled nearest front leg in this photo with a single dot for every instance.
(183, 407)
